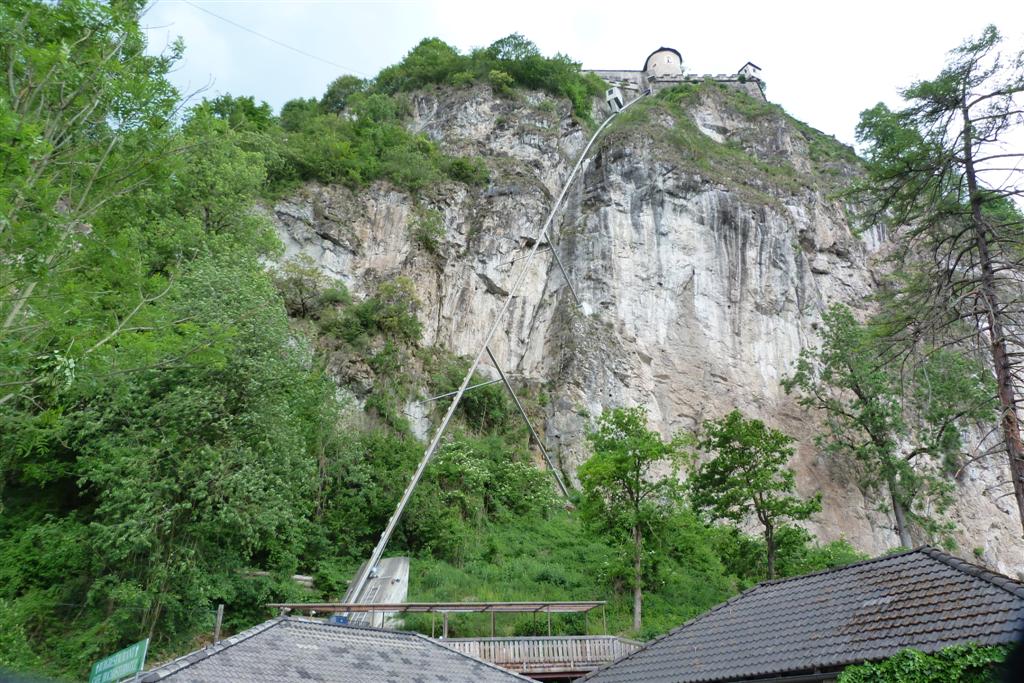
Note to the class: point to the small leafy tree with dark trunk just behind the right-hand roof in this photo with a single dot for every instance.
(748, 479)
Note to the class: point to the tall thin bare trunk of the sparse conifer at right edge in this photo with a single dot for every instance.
(1009, 422)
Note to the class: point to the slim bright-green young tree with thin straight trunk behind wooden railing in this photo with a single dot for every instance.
(623, 496)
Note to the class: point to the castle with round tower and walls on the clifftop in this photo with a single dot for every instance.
(663, 69)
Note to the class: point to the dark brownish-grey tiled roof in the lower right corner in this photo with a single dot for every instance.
(865, 612)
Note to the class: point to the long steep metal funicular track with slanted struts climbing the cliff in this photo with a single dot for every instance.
(361, 581)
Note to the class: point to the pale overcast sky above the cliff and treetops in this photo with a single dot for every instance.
(824, 62)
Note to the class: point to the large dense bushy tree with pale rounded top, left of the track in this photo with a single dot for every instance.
(198, 472)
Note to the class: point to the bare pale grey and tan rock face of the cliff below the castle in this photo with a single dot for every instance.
(700, 278)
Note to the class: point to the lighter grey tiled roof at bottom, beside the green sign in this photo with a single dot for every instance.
(291, 650)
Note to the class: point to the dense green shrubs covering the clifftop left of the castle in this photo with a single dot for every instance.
(356, 134)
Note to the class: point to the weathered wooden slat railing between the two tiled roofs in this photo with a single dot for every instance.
(546, 654)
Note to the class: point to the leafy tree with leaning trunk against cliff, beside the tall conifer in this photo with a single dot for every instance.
(904, 431)
